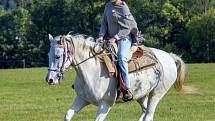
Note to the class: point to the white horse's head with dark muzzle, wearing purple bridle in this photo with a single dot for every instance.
(60, 58)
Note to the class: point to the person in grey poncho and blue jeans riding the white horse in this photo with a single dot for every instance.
(120, 26)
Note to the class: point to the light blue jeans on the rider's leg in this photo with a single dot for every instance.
(124, 46)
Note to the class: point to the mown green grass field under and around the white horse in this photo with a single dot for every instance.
(24, 96)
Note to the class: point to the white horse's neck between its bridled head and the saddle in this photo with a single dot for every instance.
(86, 65)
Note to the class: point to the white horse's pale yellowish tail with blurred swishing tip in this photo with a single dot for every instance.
(181, 72)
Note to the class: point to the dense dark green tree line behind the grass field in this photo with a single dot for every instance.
(184, 27)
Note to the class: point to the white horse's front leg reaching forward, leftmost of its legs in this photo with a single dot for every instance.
(77, 105)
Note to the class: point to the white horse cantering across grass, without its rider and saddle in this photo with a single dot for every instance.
(93, 84)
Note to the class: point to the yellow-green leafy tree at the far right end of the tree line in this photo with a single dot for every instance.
(201, 36)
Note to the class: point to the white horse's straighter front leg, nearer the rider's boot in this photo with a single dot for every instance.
(102, 111)
